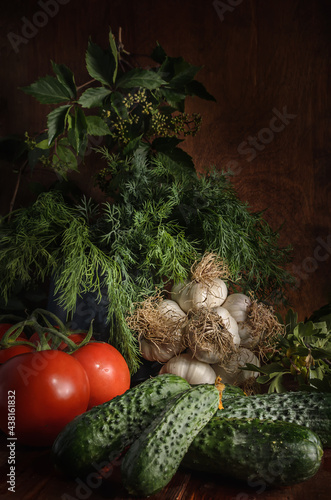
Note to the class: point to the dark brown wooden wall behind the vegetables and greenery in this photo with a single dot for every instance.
(266, 62)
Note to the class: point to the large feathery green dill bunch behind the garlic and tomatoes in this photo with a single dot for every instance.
(163, 219)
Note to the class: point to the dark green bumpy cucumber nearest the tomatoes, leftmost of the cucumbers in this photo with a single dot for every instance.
(101, 434)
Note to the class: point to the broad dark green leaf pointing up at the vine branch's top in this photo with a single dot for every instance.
(100, 63)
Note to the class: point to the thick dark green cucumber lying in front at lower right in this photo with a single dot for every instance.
(271, 452)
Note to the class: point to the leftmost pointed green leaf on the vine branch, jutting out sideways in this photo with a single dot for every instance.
(48, 90)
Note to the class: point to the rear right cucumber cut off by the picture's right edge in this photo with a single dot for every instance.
(312, 410)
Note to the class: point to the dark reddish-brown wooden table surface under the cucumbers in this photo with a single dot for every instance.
(36, 479)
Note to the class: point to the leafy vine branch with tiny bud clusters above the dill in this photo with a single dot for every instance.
(127, 108)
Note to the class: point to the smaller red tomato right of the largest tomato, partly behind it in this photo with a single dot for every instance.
(107, 370)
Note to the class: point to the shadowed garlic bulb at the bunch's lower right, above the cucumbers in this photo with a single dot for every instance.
(232, 372)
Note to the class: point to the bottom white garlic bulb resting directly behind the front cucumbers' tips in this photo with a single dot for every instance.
(191, 369)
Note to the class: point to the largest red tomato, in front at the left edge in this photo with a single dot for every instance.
(47, 389)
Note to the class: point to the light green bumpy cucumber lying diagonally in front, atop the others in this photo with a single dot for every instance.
(155, 456)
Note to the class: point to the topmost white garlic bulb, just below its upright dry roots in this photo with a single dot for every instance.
(194, 295)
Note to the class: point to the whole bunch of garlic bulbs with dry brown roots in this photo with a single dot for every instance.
(202, 331)
